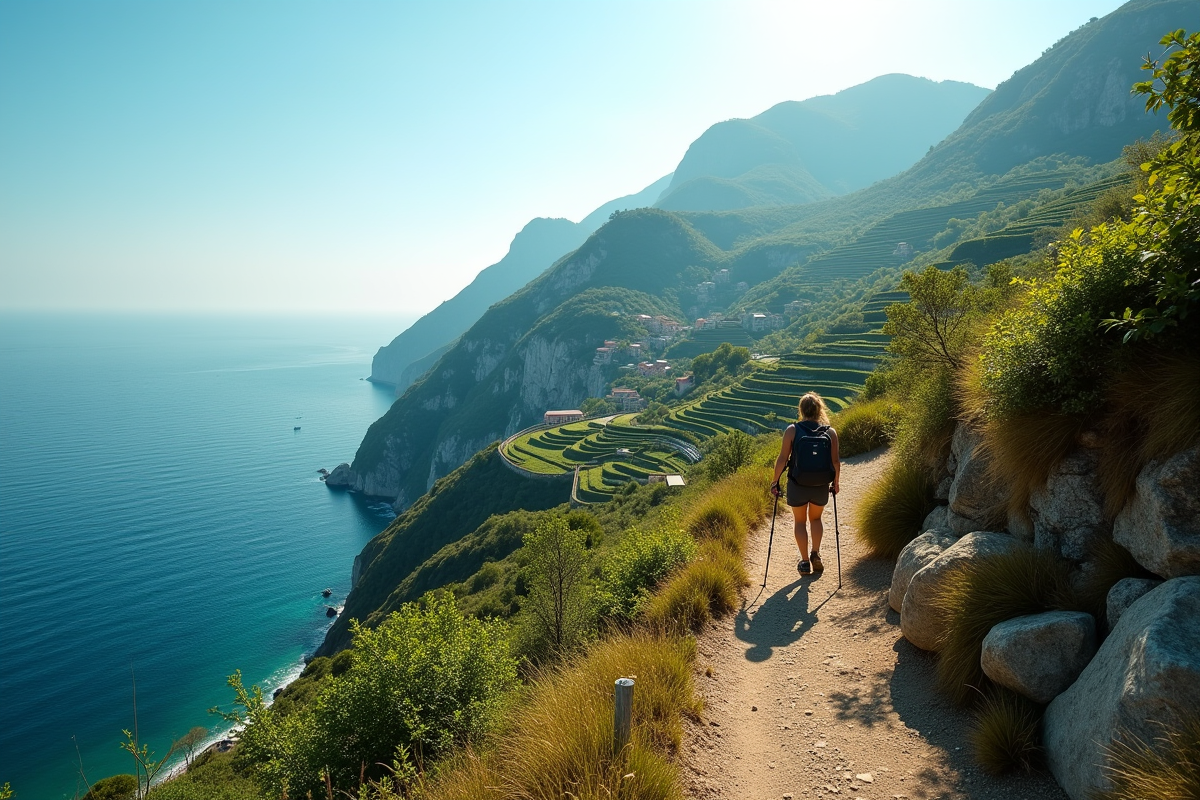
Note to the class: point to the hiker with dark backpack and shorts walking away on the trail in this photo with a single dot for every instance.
(811, 456)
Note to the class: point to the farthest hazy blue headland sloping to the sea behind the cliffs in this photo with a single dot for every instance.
(533, 250)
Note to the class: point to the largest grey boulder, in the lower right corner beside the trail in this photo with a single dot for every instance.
(1145, 676)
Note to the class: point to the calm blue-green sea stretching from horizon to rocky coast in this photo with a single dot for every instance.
(161, 518)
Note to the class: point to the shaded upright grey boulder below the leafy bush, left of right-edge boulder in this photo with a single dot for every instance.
(1069, 512)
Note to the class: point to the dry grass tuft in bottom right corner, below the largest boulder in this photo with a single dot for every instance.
(1168, 769)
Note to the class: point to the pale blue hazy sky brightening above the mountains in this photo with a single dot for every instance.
(296, 157)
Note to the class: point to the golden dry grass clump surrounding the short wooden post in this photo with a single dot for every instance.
(559, 742)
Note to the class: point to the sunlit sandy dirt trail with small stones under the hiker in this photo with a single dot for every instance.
(815, 693)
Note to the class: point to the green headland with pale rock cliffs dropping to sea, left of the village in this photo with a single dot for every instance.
(531, 353)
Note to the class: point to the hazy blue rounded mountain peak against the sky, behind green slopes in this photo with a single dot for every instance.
(808, 151)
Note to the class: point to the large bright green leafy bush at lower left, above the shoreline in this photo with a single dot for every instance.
(424, 681)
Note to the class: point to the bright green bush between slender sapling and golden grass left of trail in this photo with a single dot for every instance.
(641, 561)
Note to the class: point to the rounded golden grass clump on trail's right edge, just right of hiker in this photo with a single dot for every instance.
(895, 508)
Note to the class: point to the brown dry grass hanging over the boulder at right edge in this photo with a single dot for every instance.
(1153, 413)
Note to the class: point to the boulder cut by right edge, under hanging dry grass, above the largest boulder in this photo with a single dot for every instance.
(1161, 526)
